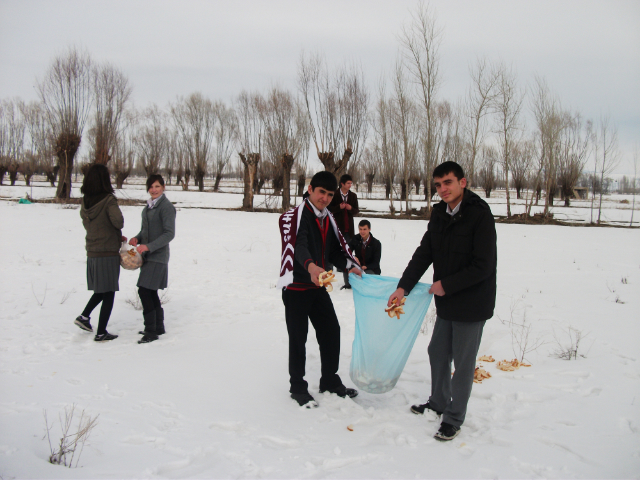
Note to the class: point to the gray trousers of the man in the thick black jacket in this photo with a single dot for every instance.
(457, 342)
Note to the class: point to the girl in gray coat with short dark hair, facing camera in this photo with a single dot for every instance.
(158, 229)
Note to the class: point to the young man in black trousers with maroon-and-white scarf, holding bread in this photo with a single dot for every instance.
(305, 300)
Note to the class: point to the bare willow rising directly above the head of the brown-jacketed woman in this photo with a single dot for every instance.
(111, 93)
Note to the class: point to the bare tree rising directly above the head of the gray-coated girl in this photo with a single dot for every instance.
(152, 140)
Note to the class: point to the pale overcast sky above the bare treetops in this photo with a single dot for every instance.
(588, 51)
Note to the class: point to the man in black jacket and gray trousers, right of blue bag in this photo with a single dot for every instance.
(461, 244)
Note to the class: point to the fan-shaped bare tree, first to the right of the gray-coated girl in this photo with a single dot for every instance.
(195, 119)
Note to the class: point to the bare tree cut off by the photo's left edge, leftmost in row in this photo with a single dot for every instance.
(12, 133)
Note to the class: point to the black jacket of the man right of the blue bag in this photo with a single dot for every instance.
(463, 251)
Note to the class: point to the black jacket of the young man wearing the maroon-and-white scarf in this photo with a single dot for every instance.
(310, 247)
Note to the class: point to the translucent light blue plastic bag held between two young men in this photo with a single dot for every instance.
(382, 345)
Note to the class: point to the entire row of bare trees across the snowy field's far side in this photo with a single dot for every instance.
(395, 137)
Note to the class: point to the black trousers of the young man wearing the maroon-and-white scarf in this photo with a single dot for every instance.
(314, 305)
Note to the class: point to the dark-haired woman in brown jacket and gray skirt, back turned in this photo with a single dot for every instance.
(103, 221)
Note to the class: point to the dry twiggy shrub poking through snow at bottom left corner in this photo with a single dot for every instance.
(65, 450)
